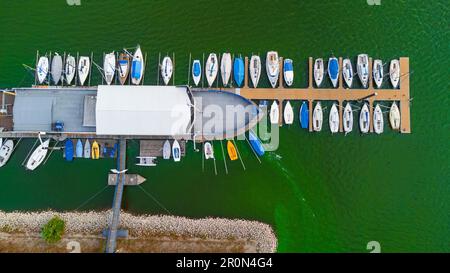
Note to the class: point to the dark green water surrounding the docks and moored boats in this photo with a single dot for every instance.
(321, 193)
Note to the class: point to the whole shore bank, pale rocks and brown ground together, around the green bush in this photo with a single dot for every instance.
(20, 232)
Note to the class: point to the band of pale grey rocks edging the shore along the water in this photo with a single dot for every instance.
(95, 222)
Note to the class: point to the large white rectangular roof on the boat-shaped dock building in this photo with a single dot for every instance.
(143, 110)
